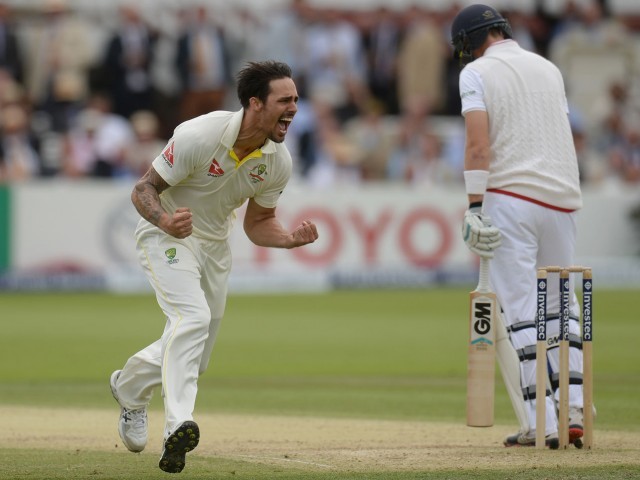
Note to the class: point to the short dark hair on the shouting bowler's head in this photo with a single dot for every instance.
(255, 77)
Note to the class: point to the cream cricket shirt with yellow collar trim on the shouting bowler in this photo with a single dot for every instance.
(207, 177)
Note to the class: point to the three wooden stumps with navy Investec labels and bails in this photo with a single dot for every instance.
(541, 355)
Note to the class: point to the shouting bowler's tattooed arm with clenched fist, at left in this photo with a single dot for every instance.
(146, 199)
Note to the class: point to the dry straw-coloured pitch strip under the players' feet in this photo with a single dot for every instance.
(315, 443)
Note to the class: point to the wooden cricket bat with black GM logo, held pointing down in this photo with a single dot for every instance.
(481, 352)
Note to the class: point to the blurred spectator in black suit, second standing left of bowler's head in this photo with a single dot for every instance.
(128, 62)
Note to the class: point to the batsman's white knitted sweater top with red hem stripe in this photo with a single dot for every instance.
(533, 152)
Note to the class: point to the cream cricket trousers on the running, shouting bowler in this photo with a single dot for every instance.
(189, 277)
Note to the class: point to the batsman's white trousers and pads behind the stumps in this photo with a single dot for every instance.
(533, 236)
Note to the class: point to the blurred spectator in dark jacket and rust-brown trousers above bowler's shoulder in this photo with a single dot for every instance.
(203, 65)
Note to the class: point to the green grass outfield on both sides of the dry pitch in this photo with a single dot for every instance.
(364, 355)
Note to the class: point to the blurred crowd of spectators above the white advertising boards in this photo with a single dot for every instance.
(99, 95)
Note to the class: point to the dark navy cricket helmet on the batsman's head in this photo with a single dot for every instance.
(470, 28)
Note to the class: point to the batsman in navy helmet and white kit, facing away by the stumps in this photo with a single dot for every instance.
(522, 183)
